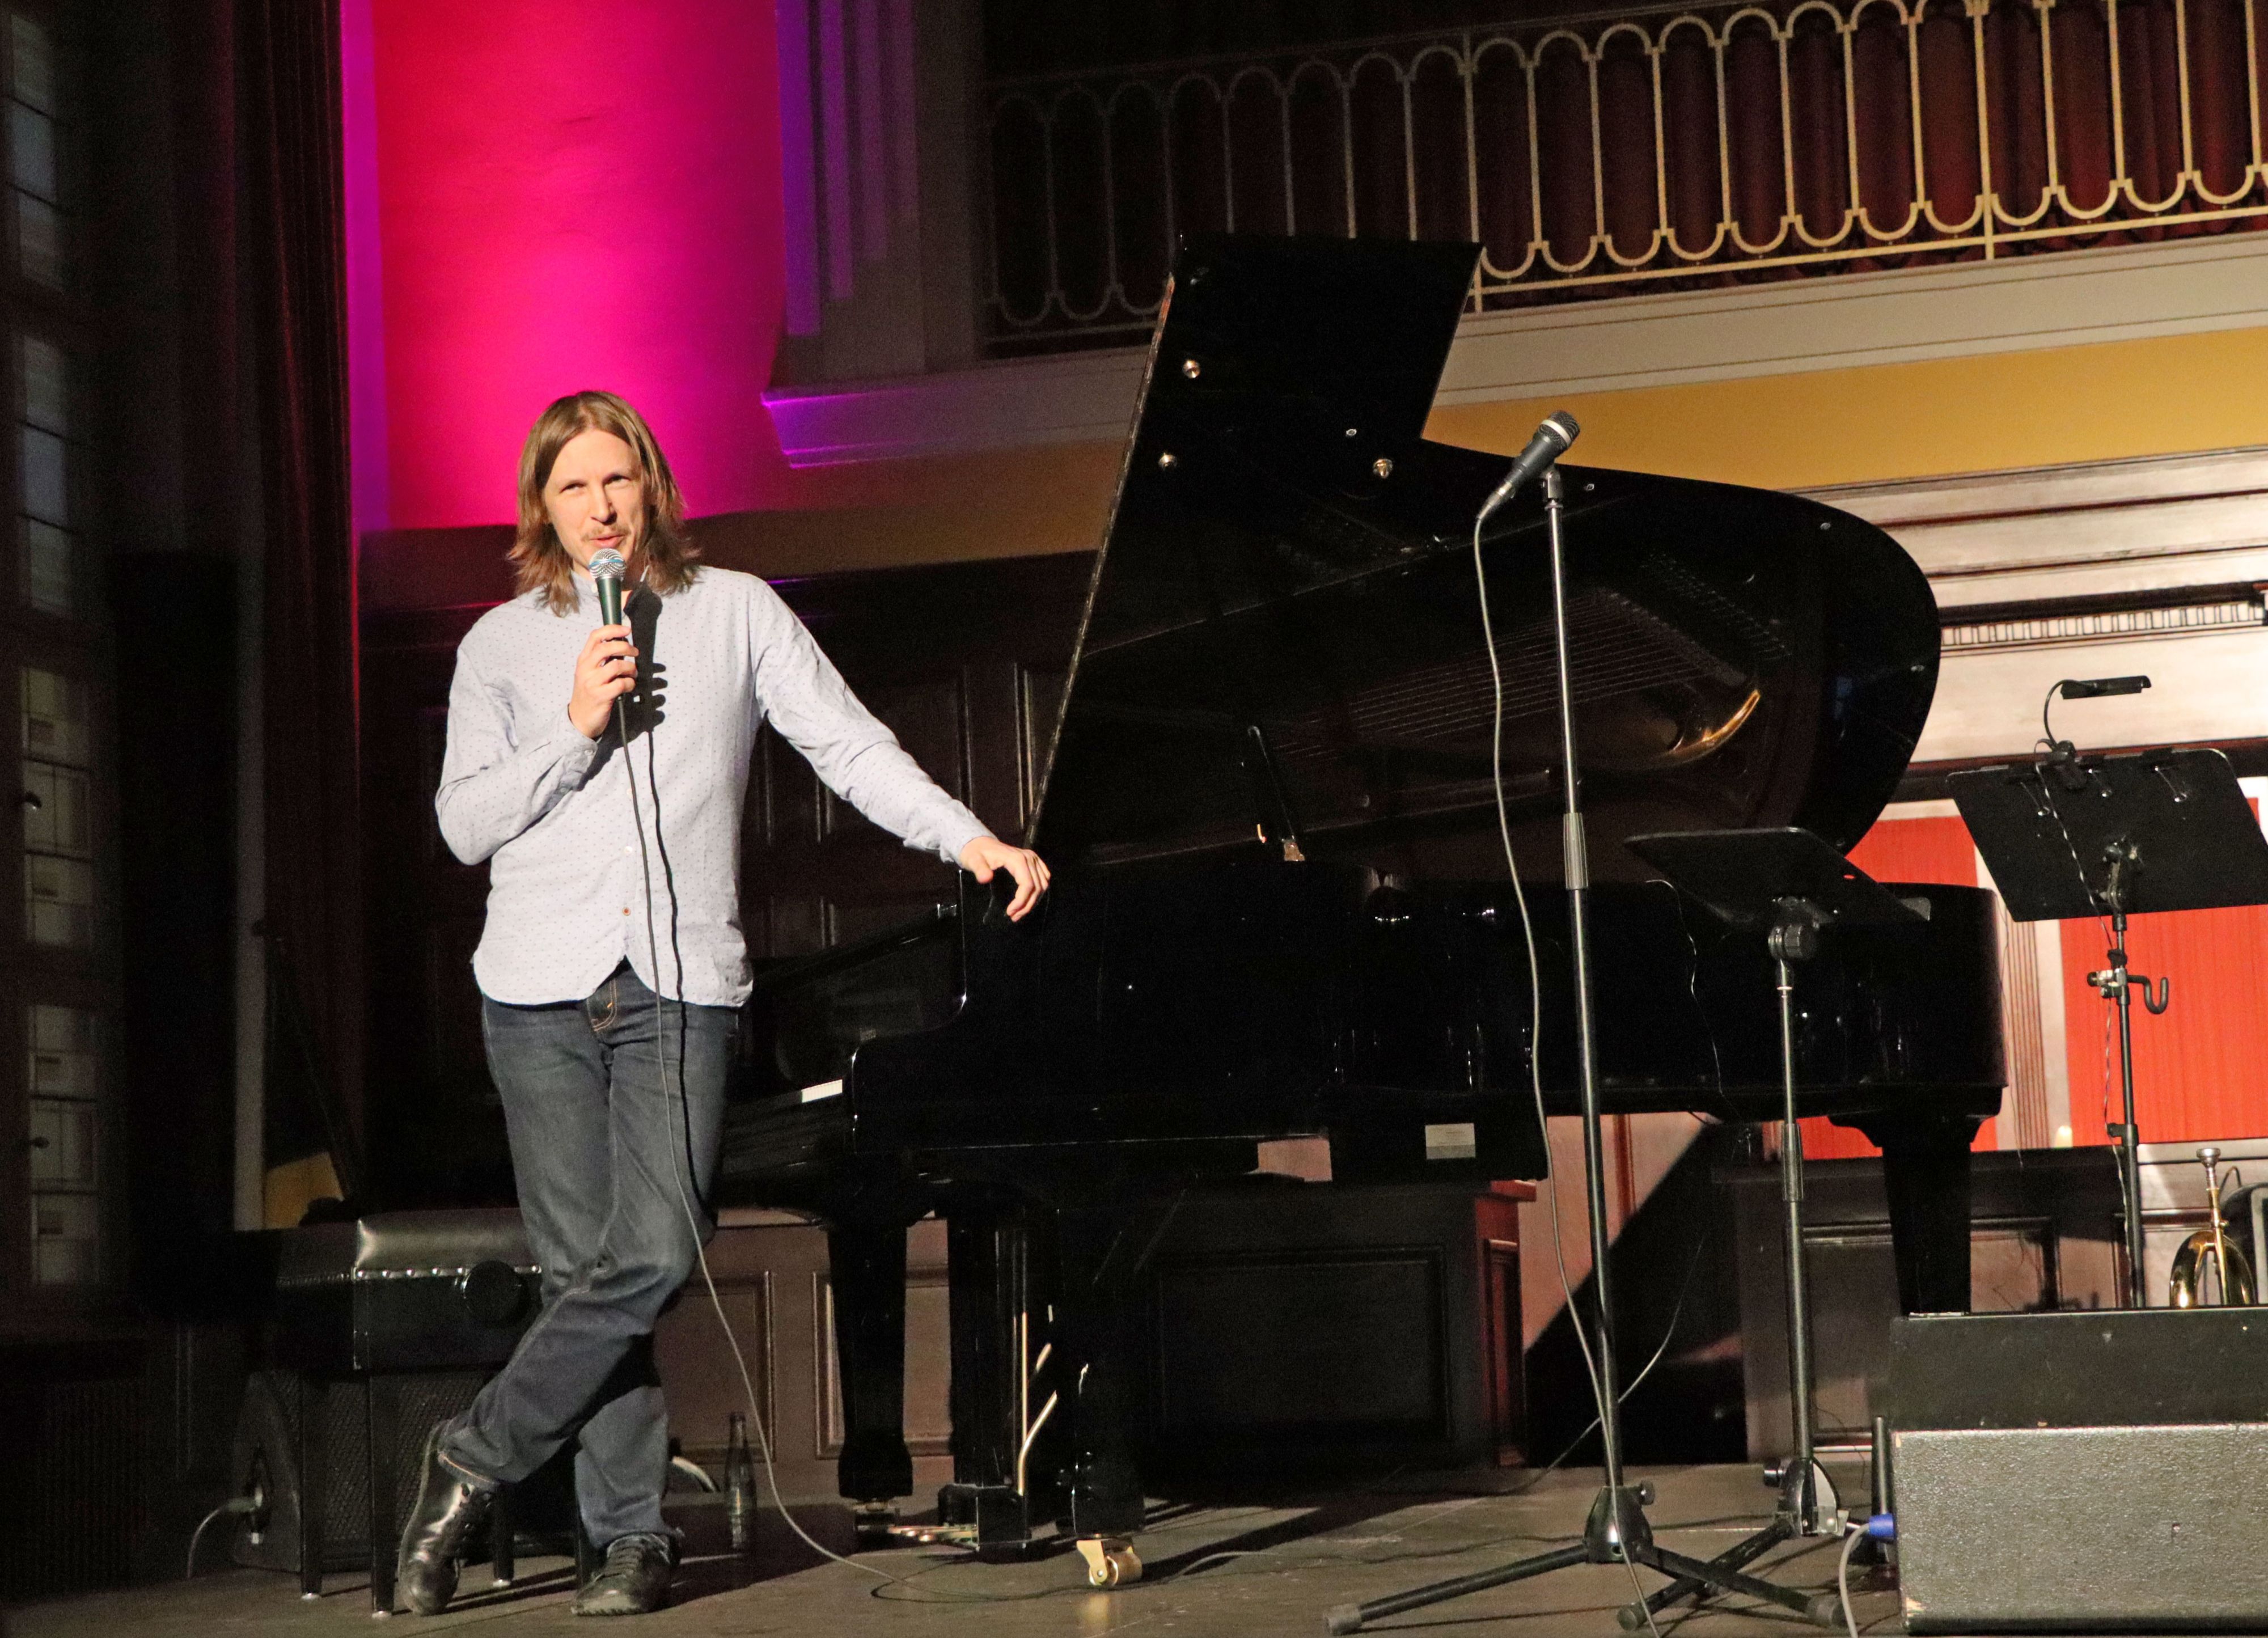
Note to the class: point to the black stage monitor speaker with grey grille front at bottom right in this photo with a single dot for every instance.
(2083, 1471)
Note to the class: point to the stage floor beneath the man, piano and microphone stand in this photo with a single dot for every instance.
(1212, 1571)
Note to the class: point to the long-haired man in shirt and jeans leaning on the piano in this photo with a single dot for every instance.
(613, 963)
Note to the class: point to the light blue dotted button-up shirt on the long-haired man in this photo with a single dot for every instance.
(552, 816)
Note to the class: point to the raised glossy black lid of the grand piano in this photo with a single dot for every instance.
(1289, 555)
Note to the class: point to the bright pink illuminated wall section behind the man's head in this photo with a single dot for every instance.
(570, 194)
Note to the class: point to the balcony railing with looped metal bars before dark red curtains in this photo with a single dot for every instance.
(1641, 151)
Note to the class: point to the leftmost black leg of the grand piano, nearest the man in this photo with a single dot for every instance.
(868, 1276)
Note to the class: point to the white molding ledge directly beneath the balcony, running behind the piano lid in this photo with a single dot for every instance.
(1784, 328)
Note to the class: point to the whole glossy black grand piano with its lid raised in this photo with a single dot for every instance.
(1280, 895)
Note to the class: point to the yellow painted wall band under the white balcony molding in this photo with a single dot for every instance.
(1906, 421)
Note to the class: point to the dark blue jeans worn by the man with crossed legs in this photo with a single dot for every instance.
(613, 1174)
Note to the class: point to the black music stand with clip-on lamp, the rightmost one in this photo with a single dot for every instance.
(2117, 836)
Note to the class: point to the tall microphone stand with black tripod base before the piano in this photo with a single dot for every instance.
(1616, 1530)
